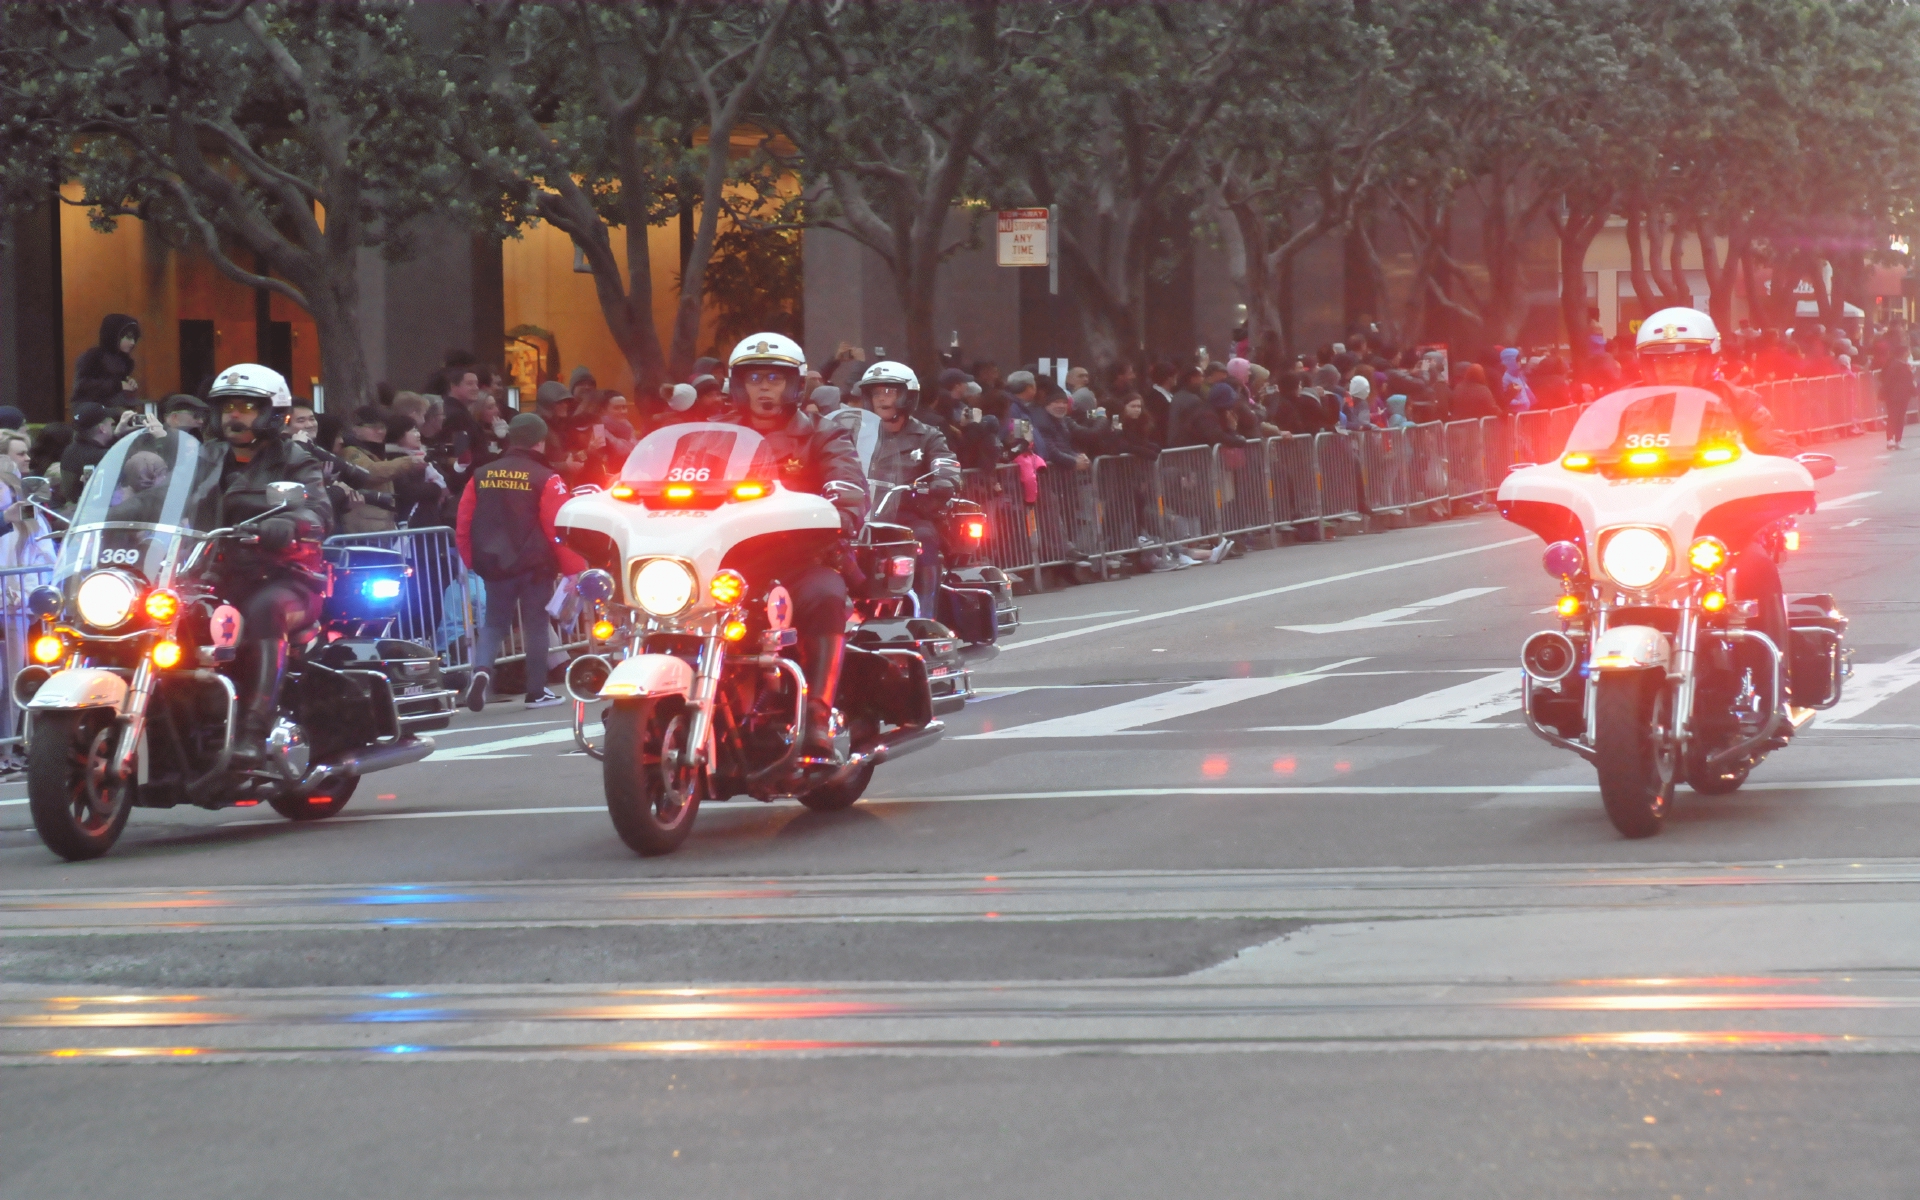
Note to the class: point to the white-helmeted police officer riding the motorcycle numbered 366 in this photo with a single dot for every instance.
(765, 379)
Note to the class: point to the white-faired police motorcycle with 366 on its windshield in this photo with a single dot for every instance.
(690, 660)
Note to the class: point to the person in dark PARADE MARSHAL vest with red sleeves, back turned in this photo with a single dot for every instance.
(506, 537)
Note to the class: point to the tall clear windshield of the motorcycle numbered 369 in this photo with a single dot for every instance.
(149, 504)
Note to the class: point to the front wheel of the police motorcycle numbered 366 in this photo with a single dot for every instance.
(652, 804)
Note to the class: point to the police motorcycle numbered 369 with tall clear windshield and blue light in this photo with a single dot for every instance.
(128, 692)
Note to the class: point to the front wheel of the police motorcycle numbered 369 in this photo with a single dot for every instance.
(78, 811)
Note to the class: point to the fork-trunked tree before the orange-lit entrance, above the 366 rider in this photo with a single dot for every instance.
(623, 116)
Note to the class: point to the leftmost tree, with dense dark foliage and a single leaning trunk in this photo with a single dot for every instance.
(279, 139)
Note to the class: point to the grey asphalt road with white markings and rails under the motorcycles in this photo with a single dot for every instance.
(1241, 880)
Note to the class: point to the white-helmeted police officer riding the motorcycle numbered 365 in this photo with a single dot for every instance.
(1681, 348)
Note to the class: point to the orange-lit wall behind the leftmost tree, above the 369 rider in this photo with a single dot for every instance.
(135, 272)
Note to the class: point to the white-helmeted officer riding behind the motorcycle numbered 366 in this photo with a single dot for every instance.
(907, 454)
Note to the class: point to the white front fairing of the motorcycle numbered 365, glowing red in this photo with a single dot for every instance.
(1731, 502)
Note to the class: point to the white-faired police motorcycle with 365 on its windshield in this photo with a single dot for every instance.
(1664, 667)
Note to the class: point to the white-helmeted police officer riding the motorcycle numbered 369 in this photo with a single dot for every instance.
(277, 583)
